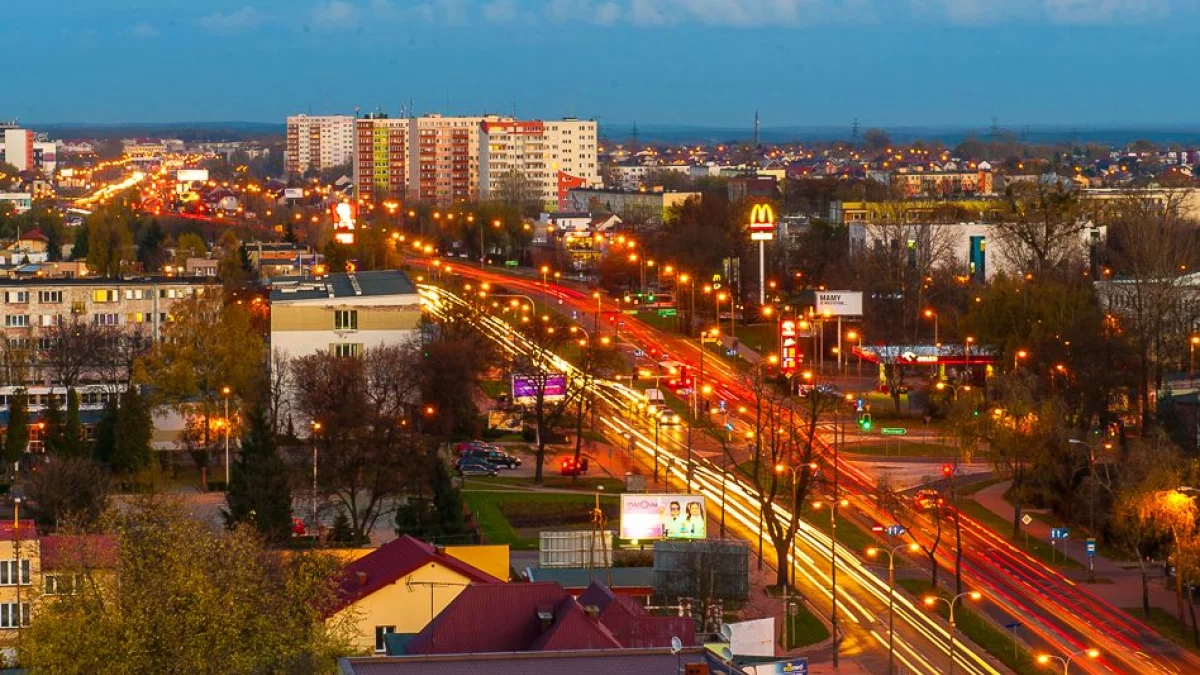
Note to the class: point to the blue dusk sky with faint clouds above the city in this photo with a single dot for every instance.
(703, 63)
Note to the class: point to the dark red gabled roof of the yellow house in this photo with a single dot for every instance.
(393, 561)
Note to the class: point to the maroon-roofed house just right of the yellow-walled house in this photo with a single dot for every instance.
(544, 617)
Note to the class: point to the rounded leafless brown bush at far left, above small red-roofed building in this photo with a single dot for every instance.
(69, 491)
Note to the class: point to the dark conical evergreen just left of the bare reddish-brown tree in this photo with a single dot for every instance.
(259, 487)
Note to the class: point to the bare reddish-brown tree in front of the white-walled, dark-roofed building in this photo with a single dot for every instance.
(368, 409)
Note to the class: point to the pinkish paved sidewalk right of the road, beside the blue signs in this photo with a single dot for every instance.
(1125, 592)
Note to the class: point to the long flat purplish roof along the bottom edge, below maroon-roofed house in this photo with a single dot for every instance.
(689, 661)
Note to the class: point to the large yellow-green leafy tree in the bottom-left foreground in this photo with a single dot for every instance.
(163, 593)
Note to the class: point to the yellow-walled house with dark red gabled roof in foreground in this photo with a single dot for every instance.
(404, 584)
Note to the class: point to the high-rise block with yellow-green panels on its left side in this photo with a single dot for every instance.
(381, 158)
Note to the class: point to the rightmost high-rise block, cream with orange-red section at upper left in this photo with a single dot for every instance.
(539, 154)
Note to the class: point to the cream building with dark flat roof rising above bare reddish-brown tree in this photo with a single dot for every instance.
(344, 314)
